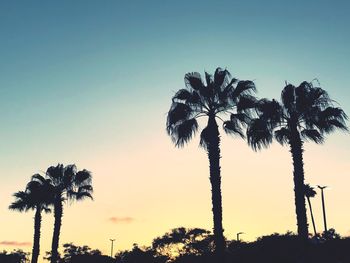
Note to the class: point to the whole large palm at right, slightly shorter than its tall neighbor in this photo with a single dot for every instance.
(306, 113)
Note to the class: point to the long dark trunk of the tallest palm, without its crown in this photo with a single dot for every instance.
(215, 180)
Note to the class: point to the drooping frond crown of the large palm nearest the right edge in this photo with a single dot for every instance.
(306, 110)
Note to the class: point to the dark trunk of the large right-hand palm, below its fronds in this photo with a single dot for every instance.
(296, 148)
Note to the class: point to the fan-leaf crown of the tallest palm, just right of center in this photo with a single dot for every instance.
(221, 95)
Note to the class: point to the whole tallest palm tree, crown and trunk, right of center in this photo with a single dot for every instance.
(221, 96)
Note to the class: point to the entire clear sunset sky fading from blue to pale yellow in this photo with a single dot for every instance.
(90, 83)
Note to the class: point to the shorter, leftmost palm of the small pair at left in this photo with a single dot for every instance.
(37, 196)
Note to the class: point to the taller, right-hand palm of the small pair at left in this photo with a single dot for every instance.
(69, 185)
